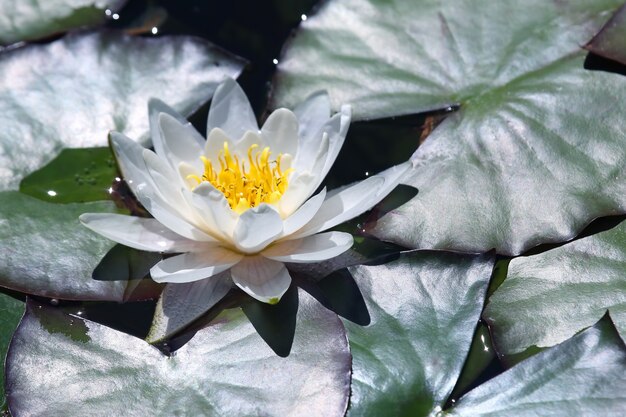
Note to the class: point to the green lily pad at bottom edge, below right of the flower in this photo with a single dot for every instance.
(424, 309)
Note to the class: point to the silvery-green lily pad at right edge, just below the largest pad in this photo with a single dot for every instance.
(547, 298)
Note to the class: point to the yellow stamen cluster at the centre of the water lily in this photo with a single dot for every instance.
(262, 181)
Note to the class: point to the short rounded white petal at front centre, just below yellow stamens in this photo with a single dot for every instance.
(256, 228)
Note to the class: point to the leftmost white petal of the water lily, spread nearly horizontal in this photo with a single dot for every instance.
(139, 233)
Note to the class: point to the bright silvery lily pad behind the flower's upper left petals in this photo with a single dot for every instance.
(72, 92)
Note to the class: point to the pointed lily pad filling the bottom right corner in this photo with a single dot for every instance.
(583, 376)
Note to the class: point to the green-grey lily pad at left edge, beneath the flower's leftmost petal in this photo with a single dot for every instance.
(46, 251)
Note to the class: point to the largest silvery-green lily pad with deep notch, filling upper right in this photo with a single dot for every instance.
(538, 146)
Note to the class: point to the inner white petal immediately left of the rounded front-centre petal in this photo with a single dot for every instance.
(212, 206)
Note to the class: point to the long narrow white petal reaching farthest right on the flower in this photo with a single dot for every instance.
(354, 200)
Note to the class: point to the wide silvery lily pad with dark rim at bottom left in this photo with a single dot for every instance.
(225, 370)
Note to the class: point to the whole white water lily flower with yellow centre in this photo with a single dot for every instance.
(241, 200)
